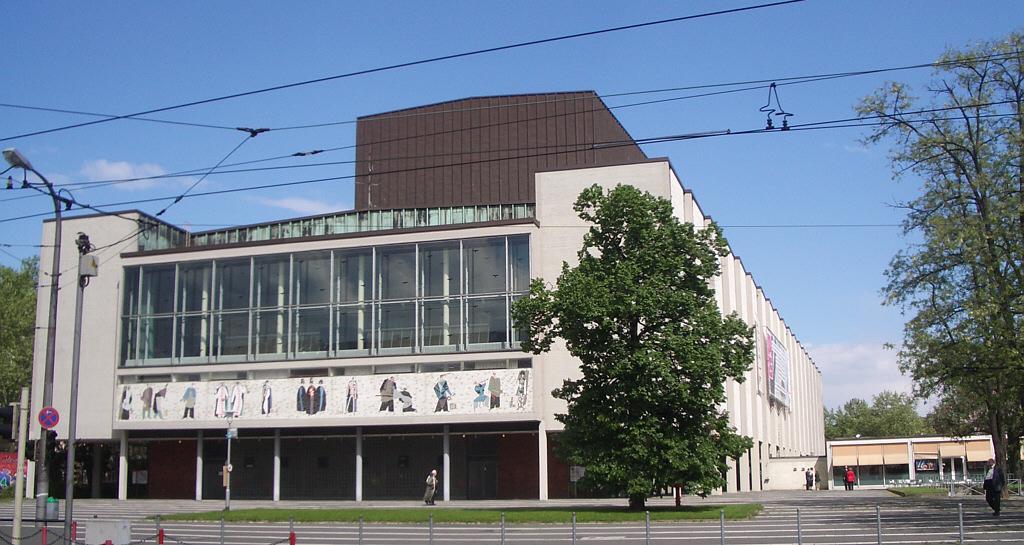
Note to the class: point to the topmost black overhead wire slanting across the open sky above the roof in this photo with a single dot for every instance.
(410, 64)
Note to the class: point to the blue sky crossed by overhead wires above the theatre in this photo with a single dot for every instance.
(118, 58)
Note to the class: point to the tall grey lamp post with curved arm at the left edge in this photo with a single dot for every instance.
(17, 160)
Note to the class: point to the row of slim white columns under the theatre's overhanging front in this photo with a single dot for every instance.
(542, 460)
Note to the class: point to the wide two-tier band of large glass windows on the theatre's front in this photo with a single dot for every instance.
(446, 297)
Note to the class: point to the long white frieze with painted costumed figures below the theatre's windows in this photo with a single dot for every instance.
(485, 392)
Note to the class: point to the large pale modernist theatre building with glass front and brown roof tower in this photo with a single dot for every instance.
(356, 352)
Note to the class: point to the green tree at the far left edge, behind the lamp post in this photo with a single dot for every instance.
(18, 327)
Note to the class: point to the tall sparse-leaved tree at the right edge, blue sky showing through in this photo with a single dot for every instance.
(962, 282)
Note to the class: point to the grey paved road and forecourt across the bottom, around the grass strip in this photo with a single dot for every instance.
(825, 519)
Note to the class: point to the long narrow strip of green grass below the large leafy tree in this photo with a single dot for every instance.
(444, 515)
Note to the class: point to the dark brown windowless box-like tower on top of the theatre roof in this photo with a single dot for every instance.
(483, 151)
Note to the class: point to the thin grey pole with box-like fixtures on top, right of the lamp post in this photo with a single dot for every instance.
(89, 267)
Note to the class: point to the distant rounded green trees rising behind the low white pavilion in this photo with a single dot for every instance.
(890, 415)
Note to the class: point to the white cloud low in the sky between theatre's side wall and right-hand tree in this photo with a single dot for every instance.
(858, 370)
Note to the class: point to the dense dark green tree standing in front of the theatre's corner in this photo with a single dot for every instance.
(655, 351)
